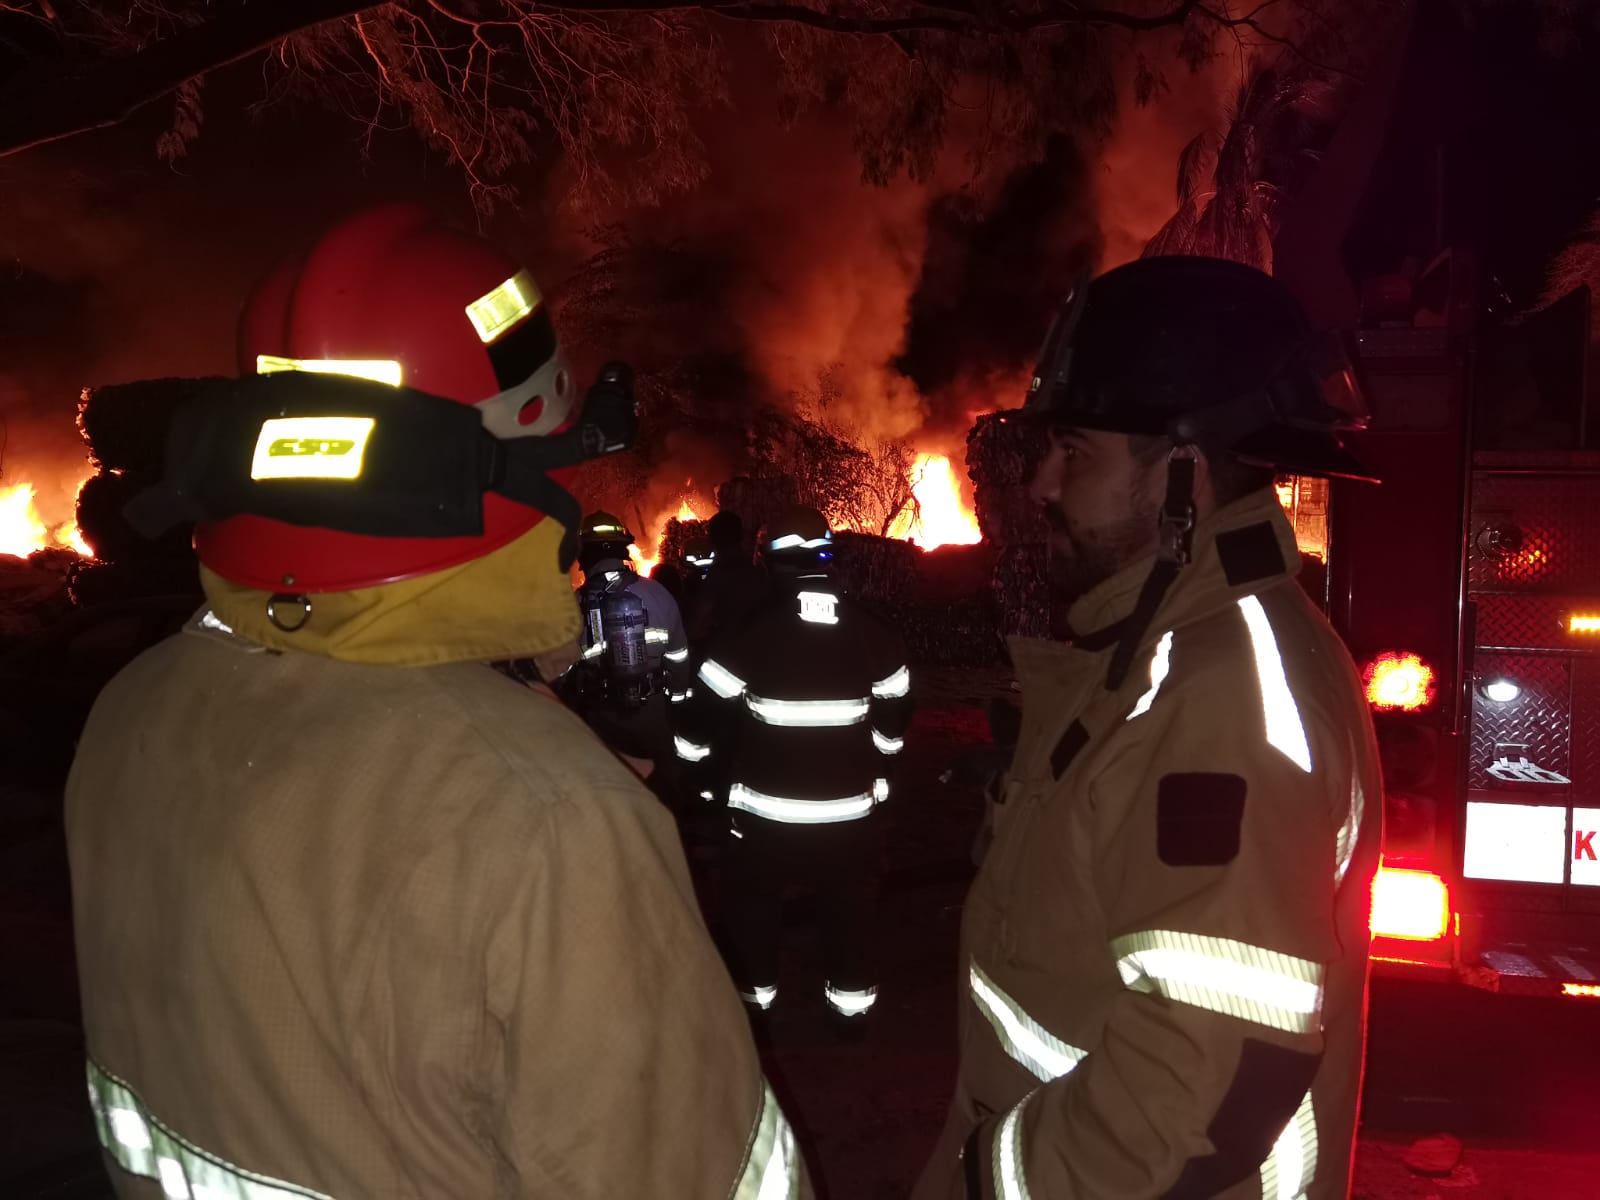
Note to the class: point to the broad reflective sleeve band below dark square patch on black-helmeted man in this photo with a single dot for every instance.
(1225, 977)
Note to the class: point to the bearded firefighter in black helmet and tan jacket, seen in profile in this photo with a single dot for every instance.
(1164, 956)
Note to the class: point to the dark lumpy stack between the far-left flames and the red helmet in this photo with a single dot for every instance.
(126, 428)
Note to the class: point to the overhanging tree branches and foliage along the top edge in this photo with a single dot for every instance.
(617, 87)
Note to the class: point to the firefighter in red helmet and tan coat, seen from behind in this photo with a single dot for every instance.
(358, 916)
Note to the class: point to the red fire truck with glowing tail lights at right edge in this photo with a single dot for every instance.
(1468, 590)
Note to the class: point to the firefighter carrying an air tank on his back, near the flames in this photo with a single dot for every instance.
(634, 657)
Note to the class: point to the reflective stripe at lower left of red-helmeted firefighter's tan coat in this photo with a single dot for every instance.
(145, 1146)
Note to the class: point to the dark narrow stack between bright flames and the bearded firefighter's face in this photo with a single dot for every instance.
(1002, 455)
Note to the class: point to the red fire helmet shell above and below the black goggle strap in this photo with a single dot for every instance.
(394, 295)
